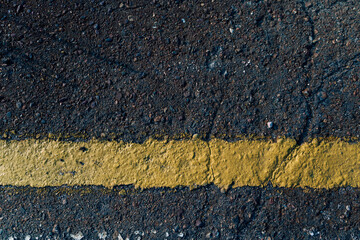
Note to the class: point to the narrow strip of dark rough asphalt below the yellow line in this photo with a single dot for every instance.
(204, 213)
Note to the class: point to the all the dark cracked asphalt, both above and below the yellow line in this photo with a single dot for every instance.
(130, 70)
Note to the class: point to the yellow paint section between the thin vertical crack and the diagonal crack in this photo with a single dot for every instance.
(250, 163)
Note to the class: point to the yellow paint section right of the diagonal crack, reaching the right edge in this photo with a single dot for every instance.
(317, 164)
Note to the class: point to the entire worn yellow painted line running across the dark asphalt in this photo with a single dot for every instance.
(170, 163)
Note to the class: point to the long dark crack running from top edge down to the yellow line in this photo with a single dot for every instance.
(308, 66)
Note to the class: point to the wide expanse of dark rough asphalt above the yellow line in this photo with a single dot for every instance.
(146, 68)
